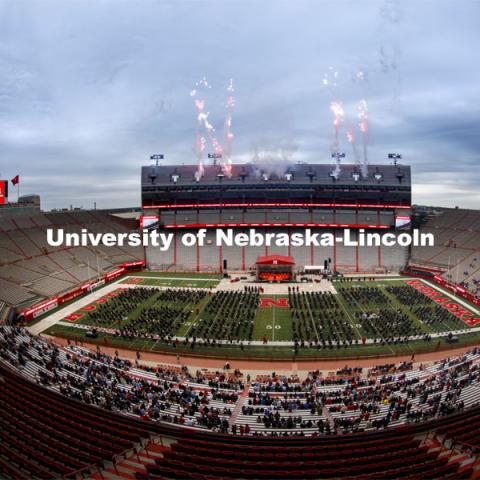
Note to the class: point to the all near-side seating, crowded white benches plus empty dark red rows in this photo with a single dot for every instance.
(47, 435)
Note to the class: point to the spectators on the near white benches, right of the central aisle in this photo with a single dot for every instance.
(387, 395)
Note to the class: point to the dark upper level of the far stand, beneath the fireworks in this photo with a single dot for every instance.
(251, 185)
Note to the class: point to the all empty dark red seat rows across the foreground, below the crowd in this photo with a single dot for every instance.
(53, 436)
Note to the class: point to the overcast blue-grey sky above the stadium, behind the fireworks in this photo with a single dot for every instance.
(90, 89)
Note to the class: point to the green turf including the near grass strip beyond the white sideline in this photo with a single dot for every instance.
(336, 328)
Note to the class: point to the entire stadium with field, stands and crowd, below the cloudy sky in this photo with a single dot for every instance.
(262, 361)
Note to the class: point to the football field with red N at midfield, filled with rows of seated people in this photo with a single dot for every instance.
(150, 310)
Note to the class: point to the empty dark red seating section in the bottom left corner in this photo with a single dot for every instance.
(44, 436)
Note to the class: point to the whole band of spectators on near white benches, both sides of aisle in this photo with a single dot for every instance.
(350, 400)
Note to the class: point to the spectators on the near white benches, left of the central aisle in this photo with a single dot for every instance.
(110, 383)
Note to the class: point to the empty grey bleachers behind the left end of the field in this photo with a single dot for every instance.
(30, 269)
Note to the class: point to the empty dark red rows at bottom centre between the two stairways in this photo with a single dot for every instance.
(209, 458)
